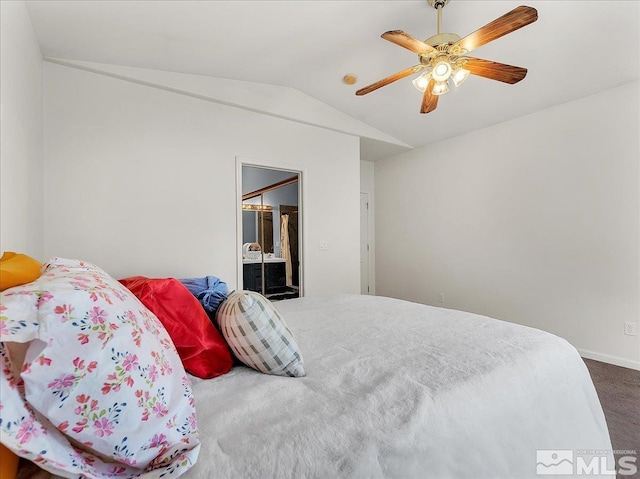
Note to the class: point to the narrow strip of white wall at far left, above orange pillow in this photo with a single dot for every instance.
(21, 136)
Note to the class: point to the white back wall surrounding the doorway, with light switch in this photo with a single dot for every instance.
(143, 181)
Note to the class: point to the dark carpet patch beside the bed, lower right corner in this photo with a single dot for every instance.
(619, 392)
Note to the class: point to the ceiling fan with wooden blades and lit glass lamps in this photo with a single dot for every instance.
(443, 56)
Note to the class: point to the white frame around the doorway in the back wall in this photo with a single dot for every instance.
(271, 165)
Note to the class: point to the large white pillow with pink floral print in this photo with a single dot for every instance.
(101, 390)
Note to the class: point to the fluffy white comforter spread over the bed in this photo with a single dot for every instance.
(399, 390)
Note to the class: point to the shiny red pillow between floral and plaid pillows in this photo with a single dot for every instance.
(201, 347)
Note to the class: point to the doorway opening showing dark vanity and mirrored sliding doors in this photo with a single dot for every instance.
(270, 237)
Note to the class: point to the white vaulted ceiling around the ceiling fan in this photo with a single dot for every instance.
(576, 48)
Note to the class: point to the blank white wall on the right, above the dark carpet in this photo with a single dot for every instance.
(534, 221)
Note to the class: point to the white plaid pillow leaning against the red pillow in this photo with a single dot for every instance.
(258, 336)
